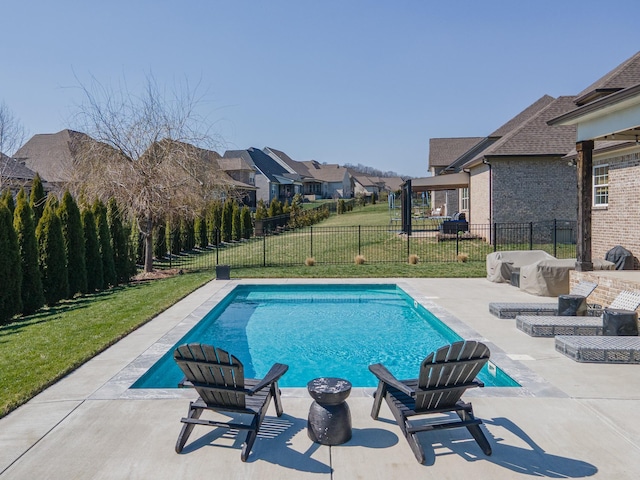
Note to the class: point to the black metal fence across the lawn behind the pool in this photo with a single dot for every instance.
(377, 244)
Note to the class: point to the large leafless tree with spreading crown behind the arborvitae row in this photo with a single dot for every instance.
(149, 152)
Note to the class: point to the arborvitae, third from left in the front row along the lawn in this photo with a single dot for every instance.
(52, 255)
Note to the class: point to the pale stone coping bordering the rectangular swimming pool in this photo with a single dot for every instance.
(118, 387)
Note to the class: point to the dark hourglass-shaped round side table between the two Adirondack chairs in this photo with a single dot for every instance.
(329, 421)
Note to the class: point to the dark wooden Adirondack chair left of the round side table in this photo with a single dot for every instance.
(219, 380)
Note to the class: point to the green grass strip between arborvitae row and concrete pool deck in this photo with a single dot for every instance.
(40, 349)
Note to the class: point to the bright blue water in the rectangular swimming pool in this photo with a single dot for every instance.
(319, 331)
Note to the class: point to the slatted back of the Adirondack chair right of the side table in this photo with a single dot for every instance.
(453, 366)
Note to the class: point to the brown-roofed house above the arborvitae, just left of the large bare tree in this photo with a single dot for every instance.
(52, 156)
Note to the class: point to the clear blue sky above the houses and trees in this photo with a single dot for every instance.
(348, 81)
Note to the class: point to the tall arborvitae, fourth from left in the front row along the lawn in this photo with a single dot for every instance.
(73, 235)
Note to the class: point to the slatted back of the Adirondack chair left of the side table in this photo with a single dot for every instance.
(217, 376)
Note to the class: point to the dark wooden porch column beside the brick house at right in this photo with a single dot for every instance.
(584, 169)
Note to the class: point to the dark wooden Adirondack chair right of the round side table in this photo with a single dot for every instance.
(443, 378)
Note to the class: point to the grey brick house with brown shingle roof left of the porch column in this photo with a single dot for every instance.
(517, 174)
